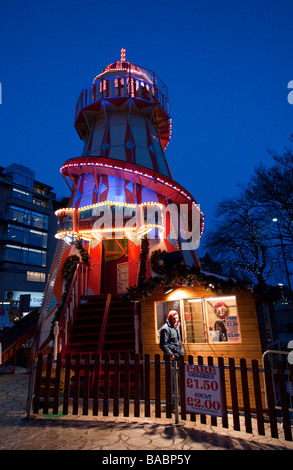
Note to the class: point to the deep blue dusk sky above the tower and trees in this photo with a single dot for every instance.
(227, 65)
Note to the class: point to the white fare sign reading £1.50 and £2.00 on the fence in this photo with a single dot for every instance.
(203, 389)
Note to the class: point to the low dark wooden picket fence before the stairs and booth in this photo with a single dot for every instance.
(124, 386)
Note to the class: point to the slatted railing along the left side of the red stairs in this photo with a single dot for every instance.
(77, 289)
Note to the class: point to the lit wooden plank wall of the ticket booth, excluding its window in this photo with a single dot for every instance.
(248, 348)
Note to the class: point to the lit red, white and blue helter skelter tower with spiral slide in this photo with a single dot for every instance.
(122, 189)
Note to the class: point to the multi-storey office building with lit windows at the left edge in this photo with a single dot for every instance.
(27, 229)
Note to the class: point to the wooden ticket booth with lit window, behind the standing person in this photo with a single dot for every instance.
(212, 324)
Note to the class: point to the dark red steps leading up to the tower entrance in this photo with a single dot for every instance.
(96, 330)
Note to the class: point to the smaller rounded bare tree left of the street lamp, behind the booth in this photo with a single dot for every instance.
(241, 240)
